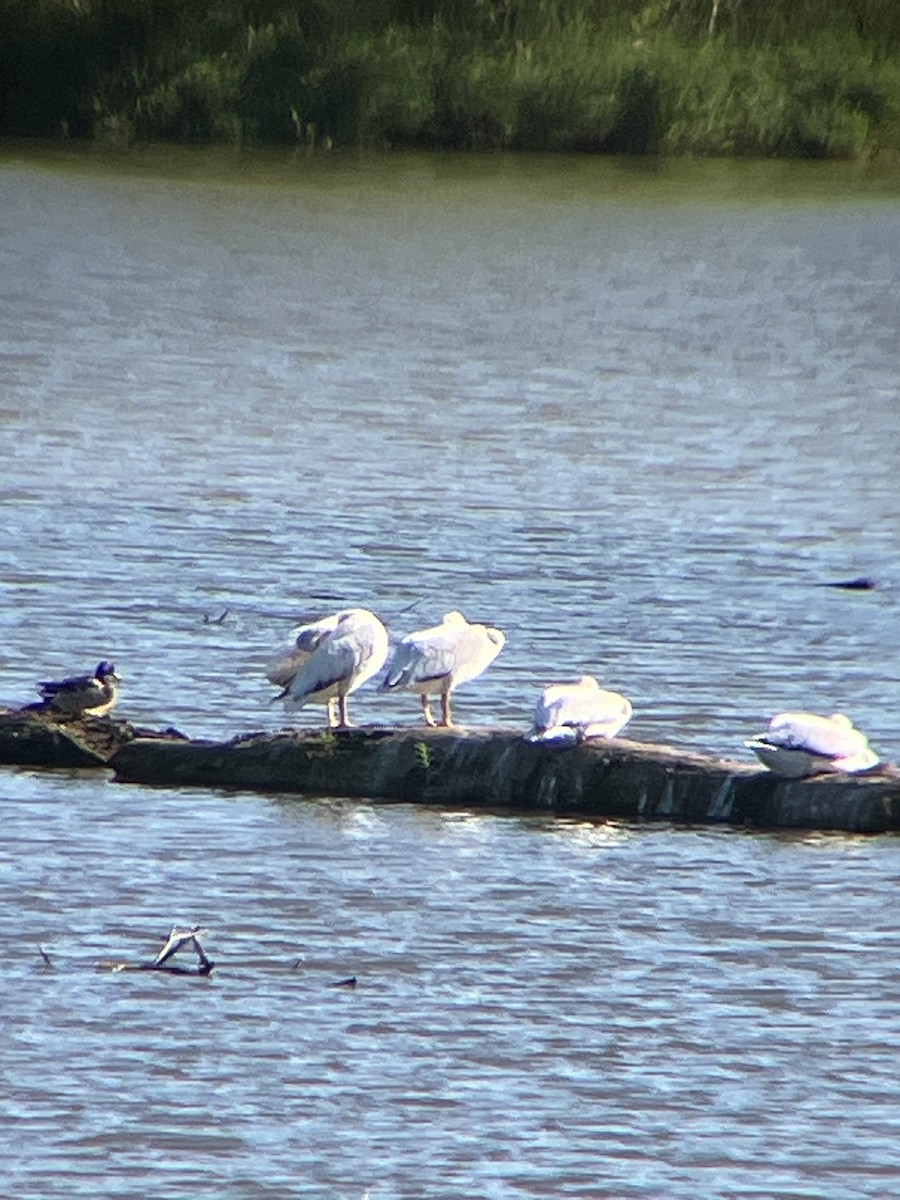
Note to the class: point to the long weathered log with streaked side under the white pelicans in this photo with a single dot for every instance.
(495, 770)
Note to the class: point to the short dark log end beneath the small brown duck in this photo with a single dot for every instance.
(32, 737)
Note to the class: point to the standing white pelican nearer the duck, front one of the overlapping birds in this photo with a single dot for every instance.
(341, 659)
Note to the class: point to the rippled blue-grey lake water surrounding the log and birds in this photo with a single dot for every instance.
(632, 415)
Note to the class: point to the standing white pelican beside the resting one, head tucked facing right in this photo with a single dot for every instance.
(440, 659)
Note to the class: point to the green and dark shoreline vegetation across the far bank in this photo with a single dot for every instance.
(812, 79)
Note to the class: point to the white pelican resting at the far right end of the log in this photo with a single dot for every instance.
(799, 745)
